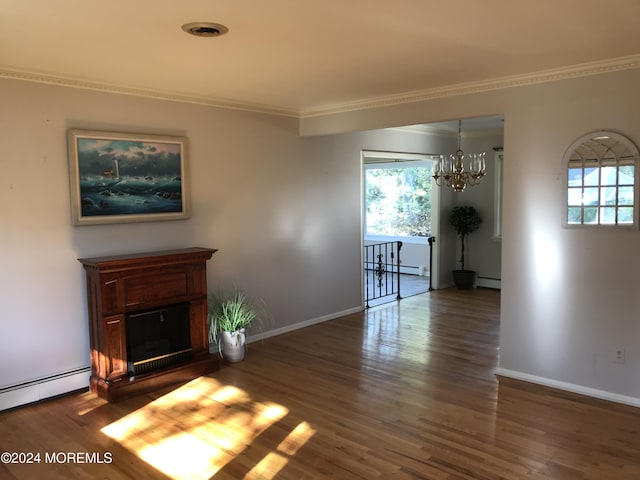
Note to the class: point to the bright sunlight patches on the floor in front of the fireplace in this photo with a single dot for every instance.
(195, 430)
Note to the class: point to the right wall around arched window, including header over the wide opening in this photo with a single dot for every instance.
(569, 297)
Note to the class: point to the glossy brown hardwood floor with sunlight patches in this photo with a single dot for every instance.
(397, 392)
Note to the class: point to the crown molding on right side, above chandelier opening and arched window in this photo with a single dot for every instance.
(543, 76)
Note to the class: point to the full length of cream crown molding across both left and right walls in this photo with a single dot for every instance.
(544, 76)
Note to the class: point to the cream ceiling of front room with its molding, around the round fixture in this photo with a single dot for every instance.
(305, 57)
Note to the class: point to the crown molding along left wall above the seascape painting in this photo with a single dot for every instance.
(36, 77)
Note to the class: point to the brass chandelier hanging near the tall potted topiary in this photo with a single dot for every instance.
(451, 173)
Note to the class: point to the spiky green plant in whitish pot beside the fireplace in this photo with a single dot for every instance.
(229, 317)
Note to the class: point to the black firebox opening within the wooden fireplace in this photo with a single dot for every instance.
(158, 338)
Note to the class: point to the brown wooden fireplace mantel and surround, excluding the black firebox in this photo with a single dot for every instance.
(122, 284)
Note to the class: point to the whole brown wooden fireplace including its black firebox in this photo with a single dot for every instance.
(147, 320)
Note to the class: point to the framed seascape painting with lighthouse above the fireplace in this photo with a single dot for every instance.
(123, 177)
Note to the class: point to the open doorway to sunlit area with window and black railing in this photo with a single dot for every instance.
(400, 204)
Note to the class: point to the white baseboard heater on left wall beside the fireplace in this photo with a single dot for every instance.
(39, 389)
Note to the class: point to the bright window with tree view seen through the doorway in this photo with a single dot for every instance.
(397, 197)
